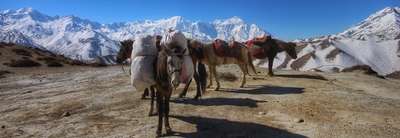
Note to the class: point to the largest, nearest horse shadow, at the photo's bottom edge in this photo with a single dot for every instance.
(221, 128)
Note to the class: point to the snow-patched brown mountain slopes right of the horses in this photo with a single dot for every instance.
(374, 42)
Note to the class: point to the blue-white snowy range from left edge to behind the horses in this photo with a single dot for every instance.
(87, 40)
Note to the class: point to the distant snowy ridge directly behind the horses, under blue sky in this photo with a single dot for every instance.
(232, 28)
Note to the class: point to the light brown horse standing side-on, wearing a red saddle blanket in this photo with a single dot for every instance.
(209, 57)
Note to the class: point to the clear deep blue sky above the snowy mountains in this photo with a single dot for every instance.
(286, 19)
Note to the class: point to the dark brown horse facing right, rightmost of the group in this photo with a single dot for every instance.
(270, 48)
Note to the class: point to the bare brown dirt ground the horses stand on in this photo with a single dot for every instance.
(98, 102)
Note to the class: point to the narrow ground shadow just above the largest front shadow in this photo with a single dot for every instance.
(221, 102)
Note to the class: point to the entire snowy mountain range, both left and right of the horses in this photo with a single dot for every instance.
(374, 42)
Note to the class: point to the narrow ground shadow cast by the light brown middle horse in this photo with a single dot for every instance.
(266, 89)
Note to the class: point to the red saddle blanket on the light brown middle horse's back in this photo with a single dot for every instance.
(223, 49)
